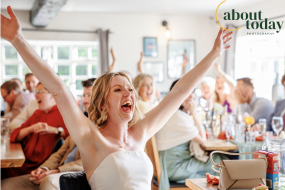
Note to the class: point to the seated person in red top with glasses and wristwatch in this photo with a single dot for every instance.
(38, 134)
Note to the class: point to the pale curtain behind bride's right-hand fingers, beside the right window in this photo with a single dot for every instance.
(229, 66)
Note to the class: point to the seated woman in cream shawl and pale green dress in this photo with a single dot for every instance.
(174, 140)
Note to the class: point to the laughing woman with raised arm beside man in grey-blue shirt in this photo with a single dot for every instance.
(222, 95)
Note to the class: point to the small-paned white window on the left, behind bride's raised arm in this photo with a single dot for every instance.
(73, 61)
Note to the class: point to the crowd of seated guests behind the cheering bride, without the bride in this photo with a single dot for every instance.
(37, 125)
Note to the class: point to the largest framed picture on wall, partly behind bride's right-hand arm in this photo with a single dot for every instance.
(180, 57)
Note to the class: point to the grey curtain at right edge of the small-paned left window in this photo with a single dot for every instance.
(104, 49)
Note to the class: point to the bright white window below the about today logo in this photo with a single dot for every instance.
(262, 59)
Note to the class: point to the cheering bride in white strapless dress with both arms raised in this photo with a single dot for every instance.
(112, 148)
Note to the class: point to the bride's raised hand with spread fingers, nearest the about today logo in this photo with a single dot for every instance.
(221, 42)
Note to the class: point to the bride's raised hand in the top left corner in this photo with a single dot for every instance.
(10, 28)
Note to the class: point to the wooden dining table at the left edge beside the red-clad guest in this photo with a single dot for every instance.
(12, 154)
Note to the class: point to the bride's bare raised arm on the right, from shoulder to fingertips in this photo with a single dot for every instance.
(158, 116)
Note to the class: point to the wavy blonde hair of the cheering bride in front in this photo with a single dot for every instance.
(100, 91)
